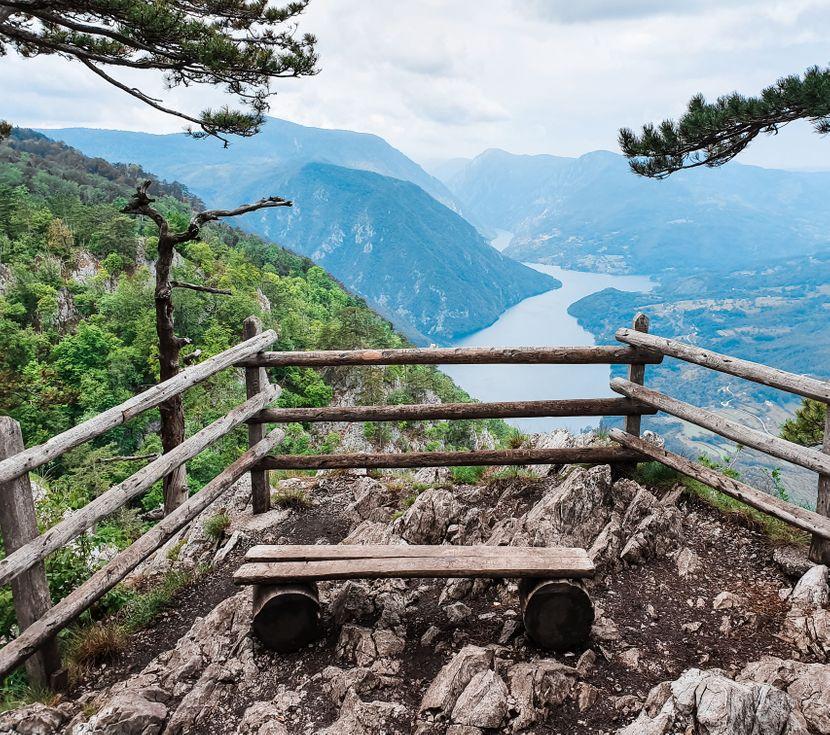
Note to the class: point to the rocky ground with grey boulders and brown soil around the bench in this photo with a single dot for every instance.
(702, 626)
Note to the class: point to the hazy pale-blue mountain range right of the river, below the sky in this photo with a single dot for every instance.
(592, 213)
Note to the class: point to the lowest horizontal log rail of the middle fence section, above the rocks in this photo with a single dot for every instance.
(564, 455)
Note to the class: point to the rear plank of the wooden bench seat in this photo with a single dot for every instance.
(322, 552)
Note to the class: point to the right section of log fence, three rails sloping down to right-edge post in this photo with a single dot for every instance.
(817, 523)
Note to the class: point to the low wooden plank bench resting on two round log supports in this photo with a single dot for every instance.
(556, 610)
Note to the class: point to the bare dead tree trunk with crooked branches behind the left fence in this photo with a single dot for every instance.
(170, 344)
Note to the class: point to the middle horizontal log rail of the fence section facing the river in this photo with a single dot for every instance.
(449, 411)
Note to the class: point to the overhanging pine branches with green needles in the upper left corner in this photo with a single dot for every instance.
(240, 45)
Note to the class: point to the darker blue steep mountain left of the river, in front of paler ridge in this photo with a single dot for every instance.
(415, 261)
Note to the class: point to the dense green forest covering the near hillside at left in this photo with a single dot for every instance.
(77, 335)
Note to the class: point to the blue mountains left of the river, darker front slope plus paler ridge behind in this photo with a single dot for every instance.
(374, 218)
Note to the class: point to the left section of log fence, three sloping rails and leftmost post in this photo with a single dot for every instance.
(26, 549)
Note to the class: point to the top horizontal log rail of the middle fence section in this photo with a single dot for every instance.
(591, 355)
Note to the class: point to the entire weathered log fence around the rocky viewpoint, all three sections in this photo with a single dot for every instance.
(39, 621)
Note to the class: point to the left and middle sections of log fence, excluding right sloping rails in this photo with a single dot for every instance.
(26, 548)
